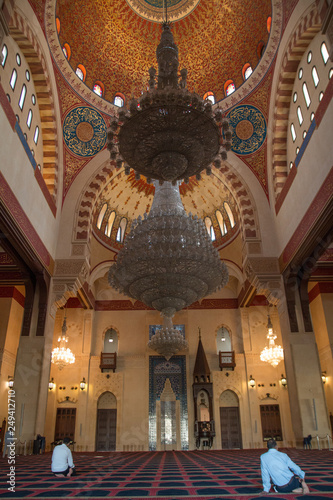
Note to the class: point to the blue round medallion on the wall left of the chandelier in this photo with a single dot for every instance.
(84, 131)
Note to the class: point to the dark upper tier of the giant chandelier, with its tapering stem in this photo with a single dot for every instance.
(170, 133)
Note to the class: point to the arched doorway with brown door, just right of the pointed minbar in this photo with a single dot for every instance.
(231, 435)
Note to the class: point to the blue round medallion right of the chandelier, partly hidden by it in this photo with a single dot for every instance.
(250, 129)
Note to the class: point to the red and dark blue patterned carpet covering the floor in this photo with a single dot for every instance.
(200, 475)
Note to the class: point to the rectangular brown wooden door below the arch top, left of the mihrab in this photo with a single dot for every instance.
(106, 430)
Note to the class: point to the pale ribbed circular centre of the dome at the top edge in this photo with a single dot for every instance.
(153, 10)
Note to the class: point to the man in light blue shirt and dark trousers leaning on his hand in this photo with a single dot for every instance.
(285, 475)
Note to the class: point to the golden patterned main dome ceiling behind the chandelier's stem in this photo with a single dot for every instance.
(116, 44)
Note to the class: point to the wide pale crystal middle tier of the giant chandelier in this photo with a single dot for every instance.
(168, 260)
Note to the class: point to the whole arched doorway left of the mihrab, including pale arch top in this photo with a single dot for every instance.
(106, 422)
